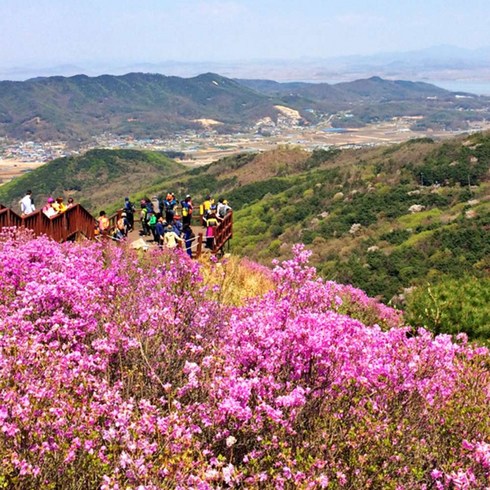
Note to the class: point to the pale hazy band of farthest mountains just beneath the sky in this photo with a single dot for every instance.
(448, 63)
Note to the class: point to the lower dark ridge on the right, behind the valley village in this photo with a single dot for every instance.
(374, 99)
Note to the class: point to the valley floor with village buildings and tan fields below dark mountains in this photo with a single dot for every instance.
(192, 147)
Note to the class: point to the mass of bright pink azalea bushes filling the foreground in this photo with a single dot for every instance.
(122, 371)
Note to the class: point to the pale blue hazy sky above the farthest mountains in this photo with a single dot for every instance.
(45, 32)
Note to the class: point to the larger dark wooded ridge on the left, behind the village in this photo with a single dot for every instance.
(138, 104)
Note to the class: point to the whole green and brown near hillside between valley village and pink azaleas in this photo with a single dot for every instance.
(383, 219)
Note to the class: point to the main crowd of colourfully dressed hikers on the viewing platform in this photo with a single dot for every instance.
(168, 220)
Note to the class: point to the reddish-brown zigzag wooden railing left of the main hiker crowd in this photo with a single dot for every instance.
(76, 220)
